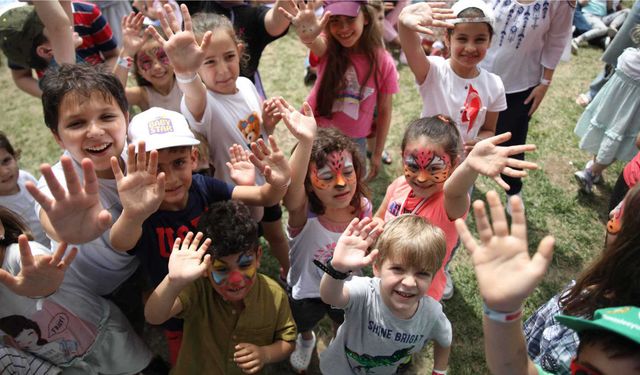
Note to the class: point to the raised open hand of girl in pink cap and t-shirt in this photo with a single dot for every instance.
(304, 20)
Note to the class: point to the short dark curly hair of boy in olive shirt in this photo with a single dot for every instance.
(230, 227)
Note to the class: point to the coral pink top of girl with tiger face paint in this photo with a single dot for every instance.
(431, 209)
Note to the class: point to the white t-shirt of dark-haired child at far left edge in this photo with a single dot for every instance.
(22, 203)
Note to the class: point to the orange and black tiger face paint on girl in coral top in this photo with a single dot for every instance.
(424, 165)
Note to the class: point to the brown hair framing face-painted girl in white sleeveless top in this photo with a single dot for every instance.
(327, 141)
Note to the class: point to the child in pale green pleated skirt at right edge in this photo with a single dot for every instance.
(610, 124)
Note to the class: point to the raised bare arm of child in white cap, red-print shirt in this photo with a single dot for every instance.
(415, 19)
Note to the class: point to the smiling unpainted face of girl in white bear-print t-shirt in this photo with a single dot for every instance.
(221, 66)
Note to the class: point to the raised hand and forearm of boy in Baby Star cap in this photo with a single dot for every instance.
(141, 192)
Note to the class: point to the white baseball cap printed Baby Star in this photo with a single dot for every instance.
(160, 128)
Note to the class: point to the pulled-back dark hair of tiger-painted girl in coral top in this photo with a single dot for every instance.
(440, 129)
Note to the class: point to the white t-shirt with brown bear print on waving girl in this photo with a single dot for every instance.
(229, 119)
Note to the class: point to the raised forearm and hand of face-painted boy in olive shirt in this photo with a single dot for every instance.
(187, 263)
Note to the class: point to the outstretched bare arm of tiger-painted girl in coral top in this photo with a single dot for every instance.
(489, 159)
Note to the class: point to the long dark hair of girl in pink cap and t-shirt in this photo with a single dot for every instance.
(333, 81)
